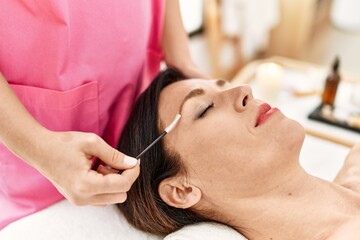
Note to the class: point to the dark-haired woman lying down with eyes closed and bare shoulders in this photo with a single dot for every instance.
(231, 159)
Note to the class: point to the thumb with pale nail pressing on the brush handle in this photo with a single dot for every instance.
(111, 156)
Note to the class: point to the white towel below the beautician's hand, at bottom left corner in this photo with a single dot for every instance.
(64, 221)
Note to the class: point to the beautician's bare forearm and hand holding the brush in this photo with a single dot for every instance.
(65, 158)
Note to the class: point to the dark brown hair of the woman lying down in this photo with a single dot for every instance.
(144, 208)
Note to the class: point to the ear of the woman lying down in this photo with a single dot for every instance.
(179, 194)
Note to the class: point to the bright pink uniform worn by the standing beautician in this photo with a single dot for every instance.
(76, 65)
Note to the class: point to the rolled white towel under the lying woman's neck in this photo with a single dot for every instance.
(208, 231)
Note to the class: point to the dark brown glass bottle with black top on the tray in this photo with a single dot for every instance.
(331, 84)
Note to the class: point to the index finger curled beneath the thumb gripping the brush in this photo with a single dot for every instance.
(113, 183)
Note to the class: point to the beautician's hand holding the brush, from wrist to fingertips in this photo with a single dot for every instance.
(67, 160)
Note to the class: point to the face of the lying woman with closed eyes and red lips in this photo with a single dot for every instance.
(229, 142)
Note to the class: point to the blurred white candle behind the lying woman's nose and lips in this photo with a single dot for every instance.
(268, 81)
